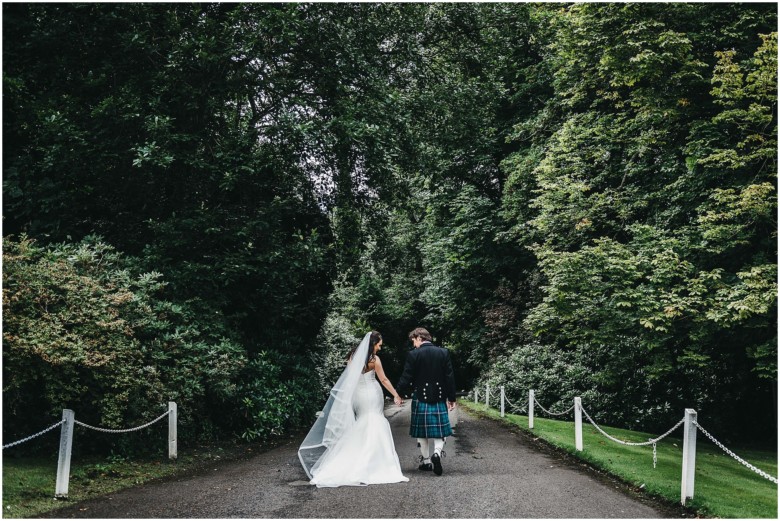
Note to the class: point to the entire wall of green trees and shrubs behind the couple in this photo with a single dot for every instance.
(579, 199)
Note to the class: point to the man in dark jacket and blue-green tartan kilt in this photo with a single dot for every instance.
(428, 370)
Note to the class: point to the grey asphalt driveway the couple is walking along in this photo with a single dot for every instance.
(489, 472)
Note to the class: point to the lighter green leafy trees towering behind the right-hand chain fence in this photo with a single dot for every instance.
(656, 245)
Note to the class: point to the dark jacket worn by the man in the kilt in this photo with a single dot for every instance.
(428, 371)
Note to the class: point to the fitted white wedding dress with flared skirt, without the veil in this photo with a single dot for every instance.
(365, 453)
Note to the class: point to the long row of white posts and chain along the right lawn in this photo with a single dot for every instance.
(689, 422)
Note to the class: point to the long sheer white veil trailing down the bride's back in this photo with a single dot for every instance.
(337, 415)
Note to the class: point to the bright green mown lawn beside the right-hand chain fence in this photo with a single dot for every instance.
(723, 487)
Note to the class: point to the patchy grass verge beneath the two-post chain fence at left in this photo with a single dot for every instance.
(28, 483)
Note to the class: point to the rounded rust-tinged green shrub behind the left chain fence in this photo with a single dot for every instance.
(85, 330)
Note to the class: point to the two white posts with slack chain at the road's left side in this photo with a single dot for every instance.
(66, 441)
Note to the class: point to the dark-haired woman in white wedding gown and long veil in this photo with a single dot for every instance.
(351, 442)
